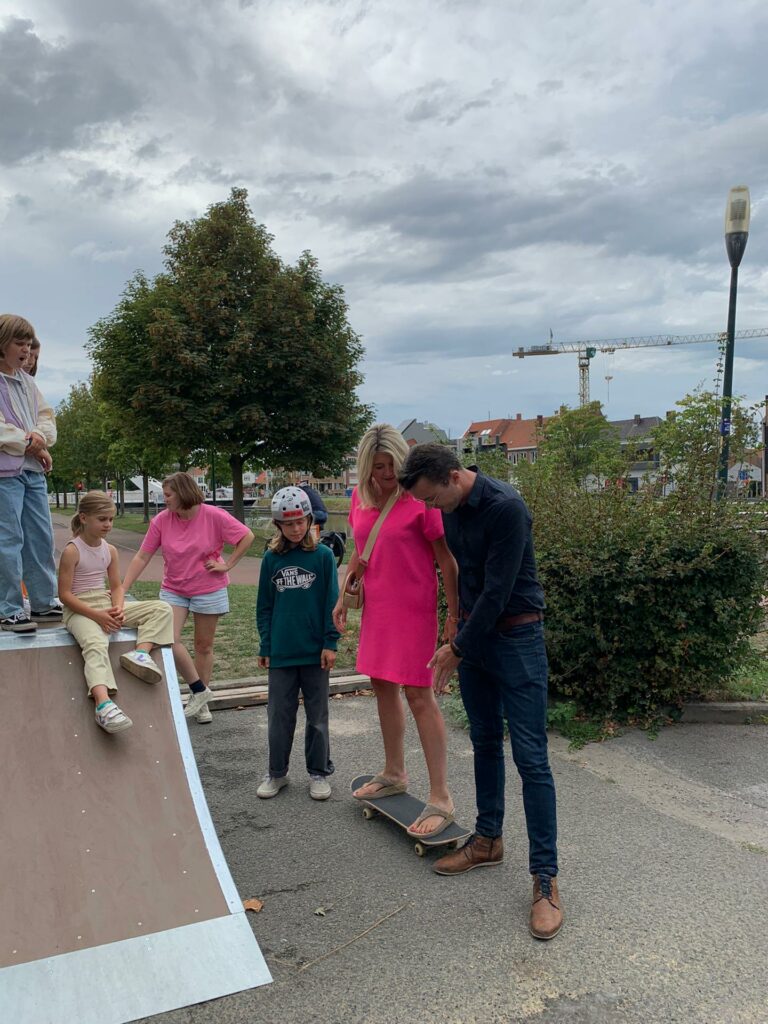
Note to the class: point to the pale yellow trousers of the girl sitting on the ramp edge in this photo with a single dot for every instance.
(154, 620)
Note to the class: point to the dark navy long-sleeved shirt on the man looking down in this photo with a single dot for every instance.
(491, 538)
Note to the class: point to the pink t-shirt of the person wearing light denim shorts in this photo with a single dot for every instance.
(189, 544)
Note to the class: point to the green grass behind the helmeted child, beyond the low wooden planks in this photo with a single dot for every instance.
(237, 648)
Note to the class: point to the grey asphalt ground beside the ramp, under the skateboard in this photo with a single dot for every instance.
(664, 871)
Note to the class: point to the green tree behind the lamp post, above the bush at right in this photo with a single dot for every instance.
(689, 442)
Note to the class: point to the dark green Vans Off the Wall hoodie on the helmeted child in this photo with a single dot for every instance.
(294, 609)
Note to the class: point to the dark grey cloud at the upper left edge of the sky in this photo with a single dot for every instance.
(50, 94)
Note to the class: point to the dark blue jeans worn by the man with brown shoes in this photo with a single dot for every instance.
(509, 681)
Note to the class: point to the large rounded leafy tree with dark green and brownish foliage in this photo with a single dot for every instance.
(232, 350)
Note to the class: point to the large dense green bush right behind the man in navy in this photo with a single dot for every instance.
(649, 601)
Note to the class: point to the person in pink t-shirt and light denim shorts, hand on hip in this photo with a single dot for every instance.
(192, 535)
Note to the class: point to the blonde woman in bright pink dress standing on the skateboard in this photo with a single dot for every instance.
(400, 619)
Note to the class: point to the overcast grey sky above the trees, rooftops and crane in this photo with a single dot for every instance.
(473, 173)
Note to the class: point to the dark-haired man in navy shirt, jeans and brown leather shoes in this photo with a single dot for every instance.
(502, 663)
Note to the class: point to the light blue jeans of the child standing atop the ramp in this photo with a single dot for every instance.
(26, 544)
